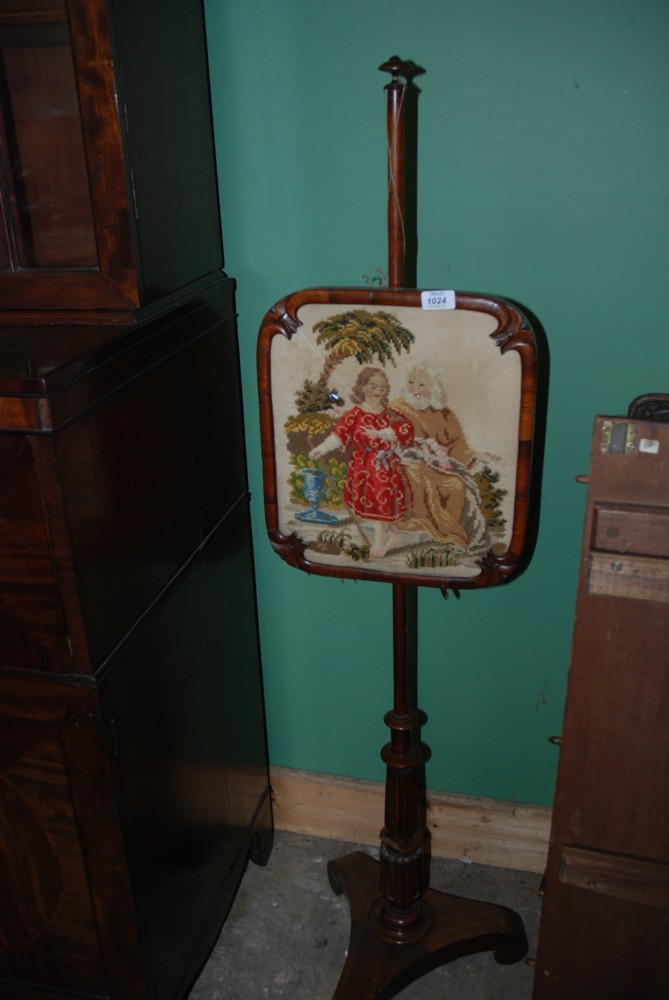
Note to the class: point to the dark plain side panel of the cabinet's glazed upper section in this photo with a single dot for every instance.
(174, 175)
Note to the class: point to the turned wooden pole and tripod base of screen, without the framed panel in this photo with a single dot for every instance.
(401, 928)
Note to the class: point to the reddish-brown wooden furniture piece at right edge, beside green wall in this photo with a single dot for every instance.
(604, 932)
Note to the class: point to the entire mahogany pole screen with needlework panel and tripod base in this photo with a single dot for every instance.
(397, 432)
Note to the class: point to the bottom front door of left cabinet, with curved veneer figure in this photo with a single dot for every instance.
(49, 930)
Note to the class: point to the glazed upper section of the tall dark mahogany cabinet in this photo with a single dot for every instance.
(103, 205)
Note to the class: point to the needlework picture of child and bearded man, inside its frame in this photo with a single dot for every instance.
(413, 471)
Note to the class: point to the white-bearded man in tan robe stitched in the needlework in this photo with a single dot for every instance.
(440, 465)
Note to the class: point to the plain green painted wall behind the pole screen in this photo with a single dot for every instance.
(542, 177)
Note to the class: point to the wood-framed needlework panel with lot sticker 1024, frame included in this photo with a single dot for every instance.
(397, 431)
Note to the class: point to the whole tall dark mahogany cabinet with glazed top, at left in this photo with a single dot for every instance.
(133, 764)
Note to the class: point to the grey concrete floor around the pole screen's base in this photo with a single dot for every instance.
(287, 933)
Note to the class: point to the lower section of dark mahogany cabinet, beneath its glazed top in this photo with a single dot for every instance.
(133, 768)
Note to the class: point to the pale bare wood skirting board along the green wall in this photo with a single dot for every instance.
(505, 834)
